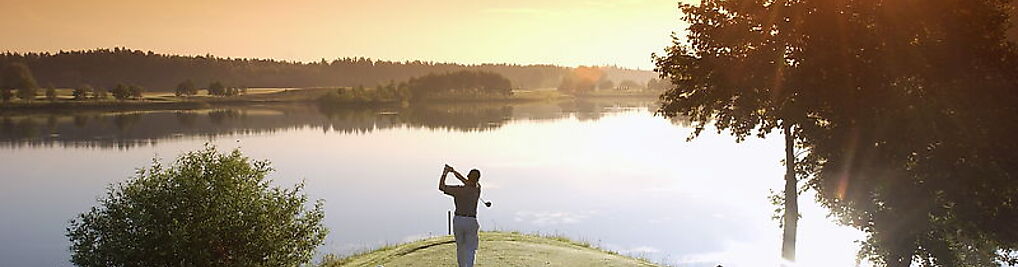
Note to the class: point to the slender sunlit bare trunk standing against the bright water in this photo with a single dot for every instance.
(791, 199)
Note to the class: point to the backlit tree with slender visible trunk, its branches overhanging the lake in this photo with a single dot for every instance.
(732, 72)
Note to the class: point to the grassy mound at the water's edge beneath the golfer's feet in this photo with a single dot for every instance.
(497, 249)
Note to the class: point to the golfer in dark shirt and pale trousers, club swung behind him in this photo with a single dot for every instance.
(465, 225)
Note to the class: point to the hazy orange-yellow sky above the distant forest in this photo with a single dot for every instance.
(527, 32)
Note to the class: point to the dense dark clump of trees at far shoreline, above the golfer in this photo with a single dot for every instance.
(465, 84)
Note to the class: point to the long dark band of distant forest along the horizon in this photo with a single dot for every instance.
(107, 68)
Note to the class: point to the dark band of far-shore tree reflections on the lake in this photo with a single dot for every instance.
(129, 130)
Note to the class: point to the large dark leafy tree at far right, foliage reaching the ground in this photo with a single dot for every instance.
(915, 129)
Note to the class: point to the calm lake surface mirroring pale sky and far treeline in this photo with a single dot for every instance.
(604, 172)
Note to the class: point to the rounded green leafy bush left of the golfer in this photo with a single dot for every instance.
(205, 209)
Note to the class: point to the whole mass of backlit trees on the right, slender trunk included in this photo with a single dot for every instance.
(899, 115)
